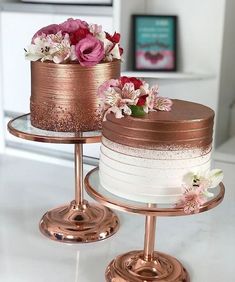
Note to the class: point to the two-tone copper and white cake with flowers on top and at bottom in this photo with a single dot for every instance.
(155, 150)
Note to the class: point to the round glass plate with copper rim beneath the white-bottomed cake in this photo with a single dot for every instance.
(99, 193)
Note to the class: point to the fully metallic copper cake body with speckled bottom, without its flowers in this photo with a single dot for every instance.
(64, 96)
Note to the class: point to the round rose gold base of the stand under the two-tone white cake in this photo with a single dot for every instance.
(132, 267)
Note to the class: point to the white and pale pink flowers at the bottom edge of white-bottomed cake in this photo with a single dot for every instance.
(195, 189)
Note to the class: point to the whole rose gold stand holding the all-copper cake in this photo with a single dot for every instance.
(80, 221)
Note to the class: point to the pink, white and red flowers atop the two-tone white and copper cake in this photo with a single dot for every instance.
(130, 96)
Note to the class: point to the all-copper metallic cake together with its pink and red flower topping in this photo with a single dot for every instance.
(69, 61)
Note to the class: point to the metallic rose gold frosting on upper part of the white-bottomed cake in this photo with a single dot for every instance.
(186, 125)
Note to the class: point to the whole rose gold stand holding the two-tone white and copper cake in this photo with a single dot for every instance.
(144, 265)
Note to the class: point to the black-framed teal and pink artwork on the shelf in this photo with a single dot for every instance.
(154, 43)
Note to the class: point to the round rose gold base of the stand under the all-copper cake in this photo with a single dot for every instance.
(83, 223)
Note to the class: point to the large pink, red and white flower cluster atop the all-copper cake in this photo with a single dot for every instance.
(74, 41)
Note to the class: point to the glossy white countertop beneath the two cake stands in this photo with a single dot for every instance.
(205, 243)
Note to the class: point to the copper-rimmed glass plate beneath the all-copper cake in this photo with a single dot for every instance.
(21, 127)
